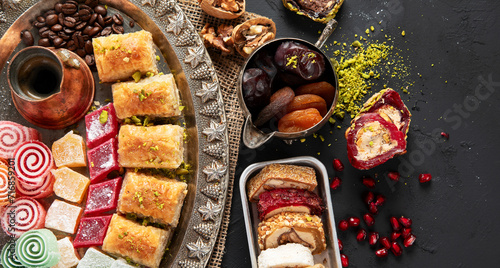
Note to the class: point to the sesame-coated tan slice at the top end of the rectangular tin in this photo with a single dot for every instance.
(281, 176)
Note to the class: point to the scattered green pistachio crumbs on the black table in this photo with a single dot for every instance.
(362, 65)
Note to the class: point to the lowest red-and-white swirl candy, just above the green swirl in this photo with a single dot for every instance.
(23, 215)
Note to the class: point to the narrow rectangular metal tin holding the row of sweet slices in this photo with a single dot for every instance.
(331, 256)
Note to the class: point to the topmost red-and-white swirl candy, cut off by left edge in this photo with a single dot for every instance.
(13, 134)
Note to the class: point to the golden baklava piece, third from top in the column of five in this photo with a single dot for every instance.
(150, 147)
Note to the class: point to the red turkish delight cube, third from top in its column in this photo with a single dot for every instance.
(103, 197)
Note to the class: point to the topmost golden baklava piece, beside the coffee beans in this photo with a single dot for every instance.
(119, 56)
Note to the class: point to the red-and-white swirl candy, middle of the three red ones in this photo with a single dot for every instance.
(33, 161)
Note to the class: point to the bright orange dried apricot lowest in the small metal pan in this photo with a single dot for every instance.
(299, 120)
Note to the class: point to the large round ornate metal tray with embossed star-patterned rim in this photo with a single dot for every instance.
(181, 48)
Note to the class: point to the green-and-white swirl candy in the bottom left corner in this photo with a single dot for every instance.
(38, 248)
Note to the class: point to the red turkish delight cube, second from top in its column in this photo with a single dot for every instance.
(103, 160)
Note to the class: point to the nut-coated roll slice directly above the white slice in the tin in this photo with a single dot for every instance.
(291, 227)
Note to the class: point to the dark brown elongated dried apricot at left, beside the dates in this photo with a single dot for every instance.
(279, 101)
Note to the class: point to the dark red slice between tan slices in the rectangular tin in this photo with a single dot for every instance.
(279, 198)
